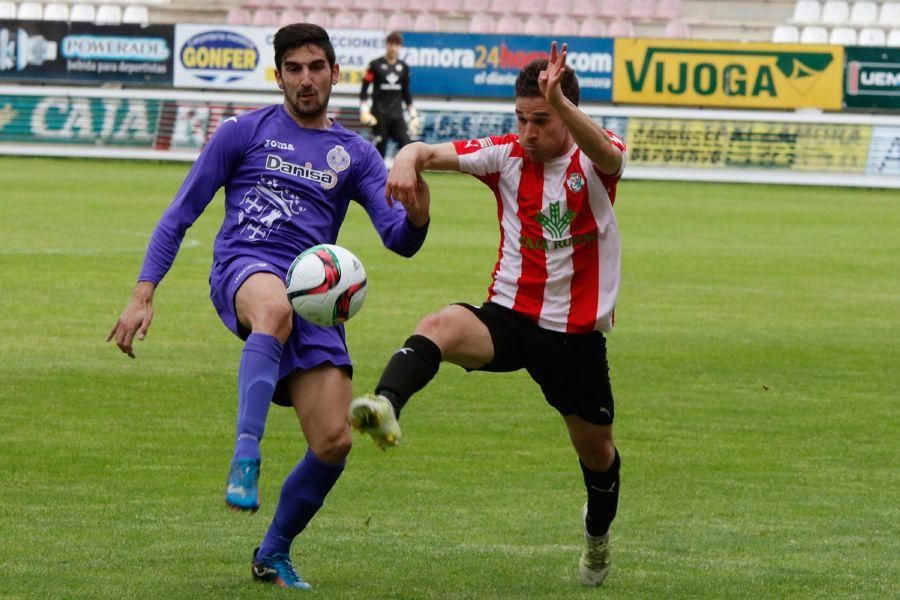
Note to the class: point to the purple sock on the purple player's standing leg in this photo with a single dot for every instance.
(302, 494)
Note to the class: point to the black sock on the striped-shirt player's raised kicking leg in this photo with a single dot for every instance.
(409, 370)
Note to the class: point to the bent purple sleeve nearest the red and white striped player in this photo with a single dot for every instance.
(397, 233)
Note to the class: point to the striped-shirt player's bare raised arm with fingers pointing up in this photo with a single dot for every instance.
(588, 135)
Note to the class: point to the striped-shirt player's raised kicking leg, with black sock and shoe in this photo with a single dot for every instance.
(453, 334)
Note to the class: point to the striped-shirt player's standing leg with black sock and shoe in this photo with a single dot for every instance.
(599, 461)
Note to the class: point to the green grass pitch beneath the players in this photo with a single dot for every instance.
(755, 362)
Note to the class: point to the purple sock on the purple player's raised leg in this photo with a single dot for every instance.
(257, 377)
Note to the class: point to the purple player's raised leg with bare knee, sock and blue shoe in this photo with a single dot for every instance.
(261, 307)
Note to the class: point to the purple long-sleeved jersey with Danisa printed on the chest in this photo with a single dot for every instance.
(286, 188)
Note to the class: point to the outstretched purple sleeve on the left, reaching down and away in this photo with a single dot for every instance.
(210, 172)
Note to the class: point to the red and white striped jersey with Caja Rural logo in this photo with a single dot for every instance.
(560, 255)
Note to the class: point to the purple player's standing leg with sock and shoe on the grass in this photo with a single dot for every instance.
(320, 397)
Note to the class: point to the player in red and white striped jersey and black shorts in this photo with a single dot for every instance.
(553, 288)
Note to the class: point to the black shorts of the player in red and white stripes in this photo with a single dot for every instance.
(571, 368)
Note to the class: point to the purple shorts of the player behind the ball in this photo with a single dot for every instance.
(309, 345)
